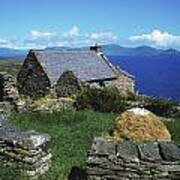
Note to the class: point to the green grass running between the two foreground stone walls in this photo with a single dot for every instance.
(72, 133)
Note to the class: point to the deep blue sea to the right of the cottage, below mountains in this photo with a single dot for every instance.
(155, 75)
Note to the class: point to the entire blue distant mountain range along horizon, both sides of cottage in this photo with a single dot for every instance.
(109, 50)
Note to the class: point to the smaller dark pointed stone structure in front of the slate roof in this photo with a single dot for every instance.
(67, 85)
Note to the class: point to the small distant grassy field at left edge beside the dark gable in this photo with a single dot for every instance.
(10, 66)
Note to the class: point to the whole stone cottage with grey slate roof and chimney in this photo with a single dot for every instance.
(43, 70)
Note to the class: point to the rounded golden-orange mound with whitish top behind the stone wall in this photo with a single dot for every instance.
(140, 125)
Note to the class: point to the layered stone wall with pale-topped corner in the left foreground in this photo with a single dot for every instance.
(27, 150)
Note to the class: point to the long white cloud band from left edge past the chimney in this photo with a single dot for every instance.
(72, 37)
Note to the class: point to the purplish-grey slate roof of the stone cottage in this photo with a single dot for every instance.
(87, 65)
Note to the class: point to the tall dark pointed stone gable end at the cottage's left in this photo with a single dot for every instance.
(32, 80)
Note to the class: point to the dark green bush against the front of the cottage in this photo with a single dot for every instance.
(103, 100)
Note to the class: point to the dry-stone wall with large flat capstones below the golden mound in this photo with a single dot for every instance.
(125, 160)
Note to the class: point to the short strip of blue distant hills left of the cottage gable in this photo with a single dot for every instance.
(12, 53)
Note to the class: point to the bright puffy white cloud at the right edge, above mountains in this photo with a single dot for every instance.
(157, 38)
